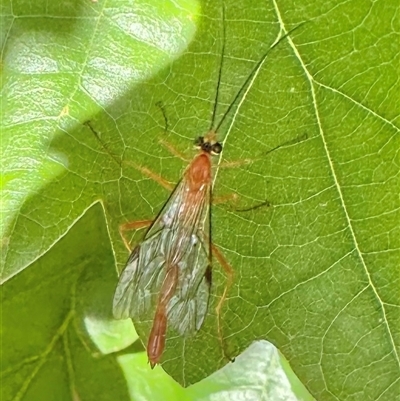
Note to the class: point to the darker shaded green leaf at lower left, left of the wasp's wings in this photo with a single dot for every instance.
(49, 352)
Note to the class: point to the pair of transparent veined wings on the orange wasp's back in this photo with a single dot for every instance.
(176, 236)
